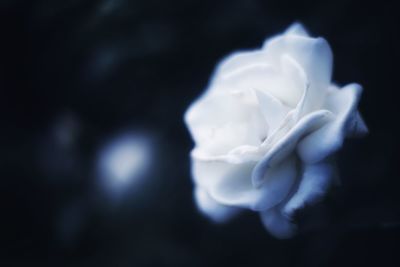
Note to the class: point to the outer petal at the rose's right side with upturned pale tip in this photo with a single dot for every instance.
(328, 139)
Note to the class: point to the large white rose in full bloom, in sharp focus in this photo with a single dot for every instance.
(266, 129)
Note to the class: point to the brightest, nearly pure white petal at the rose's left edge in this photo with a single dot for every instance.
(217, 125)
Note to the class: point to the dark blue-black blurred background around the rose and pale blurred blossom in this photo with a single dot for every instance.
(94, 69)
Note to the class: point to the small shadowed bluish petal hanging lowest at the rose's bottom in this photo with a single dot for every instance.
(278, 224)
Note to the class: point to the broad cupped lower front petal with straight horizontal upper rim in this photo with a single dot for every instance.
(230, 184)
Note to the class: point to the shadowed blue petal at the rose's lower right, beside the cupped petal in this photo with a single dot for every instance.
(314, 183)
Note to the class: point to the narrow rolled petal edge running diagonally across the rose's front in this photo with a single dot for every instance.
(287, 143)
